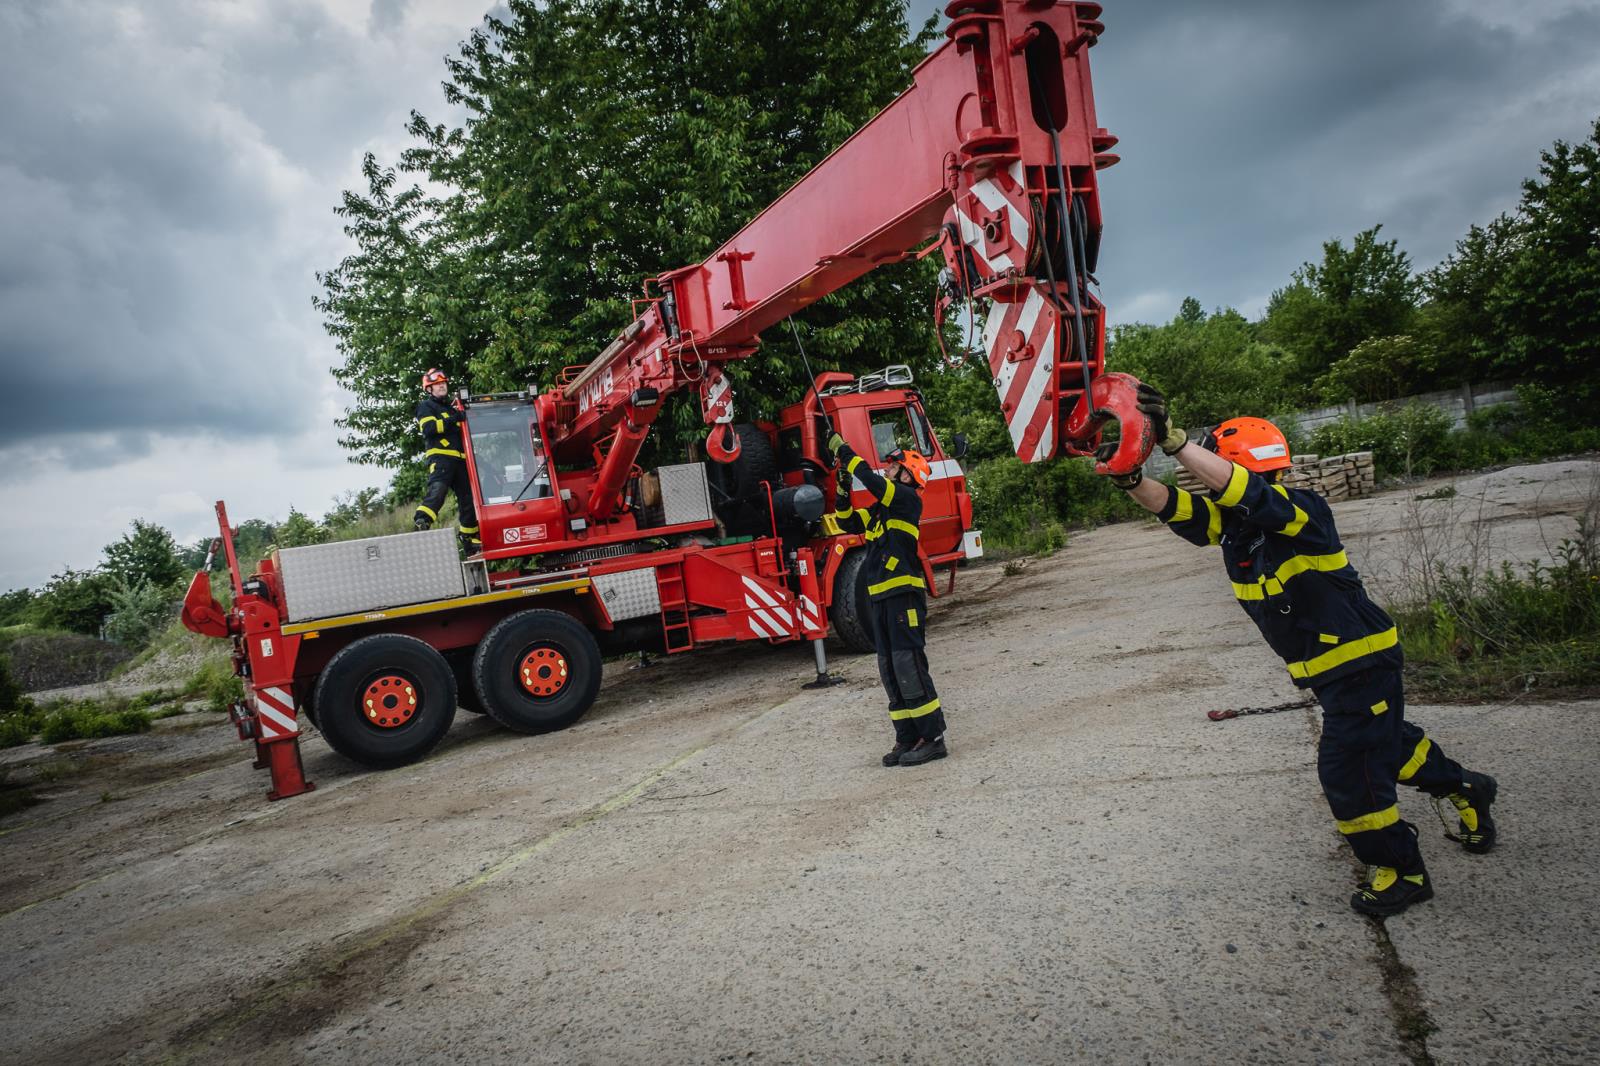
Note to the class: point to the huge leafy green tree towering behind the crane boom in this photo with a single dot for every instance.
(607, 142)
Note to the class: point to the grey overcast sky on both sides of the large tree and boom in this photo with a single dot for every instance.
(169, 174)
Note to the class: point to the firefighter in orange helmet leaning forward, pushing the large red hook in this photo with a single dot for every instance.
(1294, 579)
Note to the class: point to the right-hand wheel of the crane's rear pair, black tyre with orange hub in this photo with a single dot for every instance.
(537, 671)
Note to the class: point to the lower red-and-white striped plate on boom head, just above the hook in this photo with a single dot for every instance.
(1022, 345)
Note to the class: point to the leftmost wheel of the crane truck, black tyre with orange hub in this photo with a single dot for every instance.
(386, 700)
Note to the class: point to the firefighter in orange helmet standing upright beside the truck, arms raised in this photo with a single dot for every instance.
(897, 593)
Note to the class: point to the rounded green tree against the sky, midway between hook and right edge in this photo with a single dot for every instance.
(1332, 307)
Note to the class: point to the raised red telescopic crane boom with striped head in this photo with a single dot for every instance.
(993, 153)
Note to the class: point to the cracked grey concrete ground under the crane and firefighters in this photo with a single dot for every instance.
(713, 865)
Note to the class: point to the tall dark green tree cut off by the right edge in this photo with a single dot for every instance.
(1546, 307)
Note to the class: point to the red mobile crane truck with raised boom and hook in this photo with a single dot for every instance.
(993, 158)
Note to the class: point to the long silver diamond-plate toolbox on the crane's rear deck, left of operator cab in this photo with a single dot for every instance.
(369, 575)
